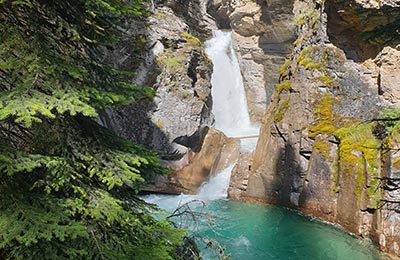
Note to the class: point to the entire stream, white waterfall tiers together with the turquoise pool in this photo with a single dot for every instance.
(255, 231)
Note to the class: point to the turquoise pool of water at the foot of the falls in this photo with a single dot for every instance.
(259, 232)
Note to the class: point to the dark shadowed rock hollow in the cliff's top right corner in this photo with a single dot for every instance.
(357, 27)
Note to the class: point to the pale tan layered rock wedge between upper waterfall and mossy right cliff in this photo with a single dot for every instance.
(263, 36)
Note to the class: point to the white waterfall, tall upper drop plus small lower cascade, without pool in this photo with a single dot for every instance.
(231, 117)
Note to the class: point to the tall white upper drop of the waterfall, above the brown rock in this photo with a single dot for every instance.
(229, 99)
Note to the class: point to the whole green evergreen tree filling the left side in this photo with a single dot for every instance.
(67, 184)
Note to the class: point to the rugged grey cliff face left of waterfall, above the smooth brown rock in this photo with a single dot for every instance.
(168, 58)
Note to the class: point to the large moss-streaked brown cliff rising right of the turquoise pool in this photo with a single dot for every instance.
(328, 142)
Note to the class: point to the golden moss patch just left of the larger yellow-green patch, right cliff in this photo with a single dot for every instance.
(324, 117)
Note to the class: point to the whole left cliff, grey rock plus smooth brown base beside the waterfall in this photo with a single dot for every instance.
(166, 52)
